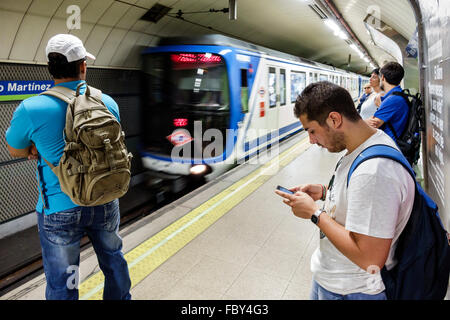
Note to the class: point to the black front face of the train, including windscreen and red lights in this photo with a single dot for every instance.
(180, 90)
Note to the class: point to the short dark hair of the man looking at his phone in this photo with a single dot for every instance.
(320, 98)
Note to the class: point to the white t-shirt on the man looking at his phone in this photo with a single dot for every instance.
(377, 203)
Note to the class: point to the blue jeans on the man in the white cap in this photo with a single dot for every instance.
(60, 234)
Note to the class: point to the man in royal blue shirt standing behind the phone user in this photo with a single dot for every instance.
(394, 109)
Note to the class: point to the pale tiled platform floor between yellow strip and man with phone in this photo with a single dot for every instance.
(258, 250)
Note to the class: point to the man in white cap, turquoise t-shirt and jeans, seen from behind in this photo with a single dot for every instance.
(36, 132)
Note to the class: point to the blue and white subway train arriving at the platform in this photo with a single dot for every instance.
(212, 101)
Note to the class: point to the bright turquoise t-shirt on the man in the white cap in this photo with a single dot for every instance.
(41, 119)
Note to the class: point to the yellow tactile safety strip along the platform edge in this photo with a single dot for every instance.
(150, 254)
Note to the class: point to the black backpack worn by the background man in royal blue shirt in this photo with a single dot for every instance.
(409, 141)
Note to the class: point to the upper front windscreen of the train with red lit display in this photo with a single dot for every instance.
(197, 80)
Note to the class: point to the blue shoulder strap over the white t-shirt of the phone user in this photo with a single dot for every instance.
(380, 151)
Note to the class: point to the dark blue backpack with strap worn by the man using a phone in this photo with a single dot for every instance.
(423, 249)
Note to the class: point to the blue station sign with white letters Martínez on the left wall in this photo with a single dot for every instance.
(22, 89)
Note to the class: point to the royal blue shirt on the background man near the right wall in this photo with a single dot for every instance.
(395, 110)
